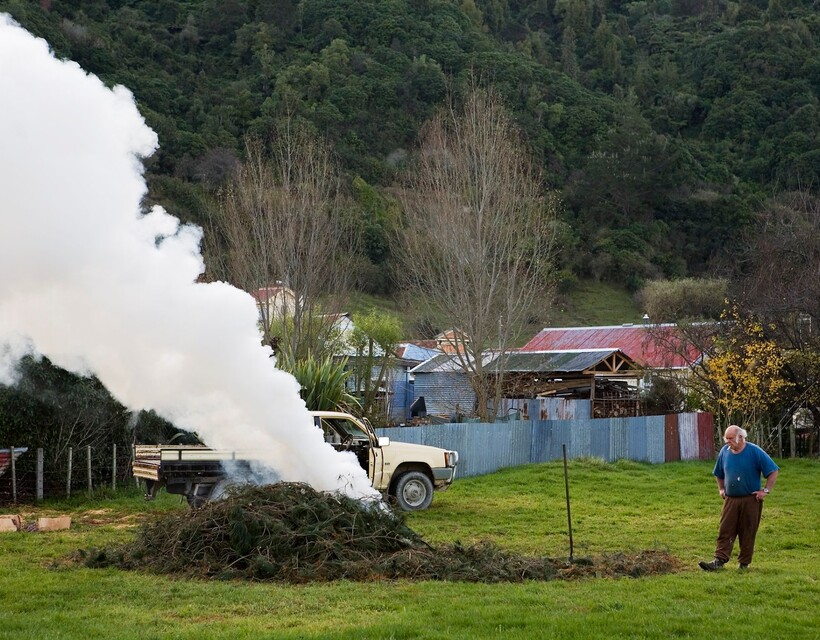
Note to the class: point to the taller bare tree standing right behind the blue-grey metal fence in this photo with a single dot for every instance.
(477, 241)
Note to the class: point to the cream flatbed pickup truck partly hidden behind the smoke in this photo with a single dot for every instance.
(406, 472)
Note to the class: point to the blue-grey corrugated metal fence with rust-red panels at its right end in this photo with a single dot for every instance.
(487, 447)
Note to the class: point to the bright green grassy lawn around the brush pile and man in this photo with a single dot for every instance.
(621, 506)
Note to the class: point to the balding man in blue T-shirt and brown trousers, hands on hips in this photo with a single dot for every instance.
(738, 469)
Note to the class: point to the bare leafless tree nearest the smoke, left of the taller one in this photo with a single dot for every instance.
(280, 223)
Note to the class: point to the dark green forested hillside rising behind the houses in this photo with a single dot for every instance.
(663, 123)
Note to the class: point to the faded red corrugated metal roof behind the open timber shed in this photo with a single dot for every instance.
(635, 341)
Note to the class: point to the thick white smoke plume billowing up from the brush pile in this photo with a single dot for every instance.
(98, 287)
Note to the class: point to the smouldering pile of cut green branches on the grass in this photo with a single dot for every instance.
(289, 532)
